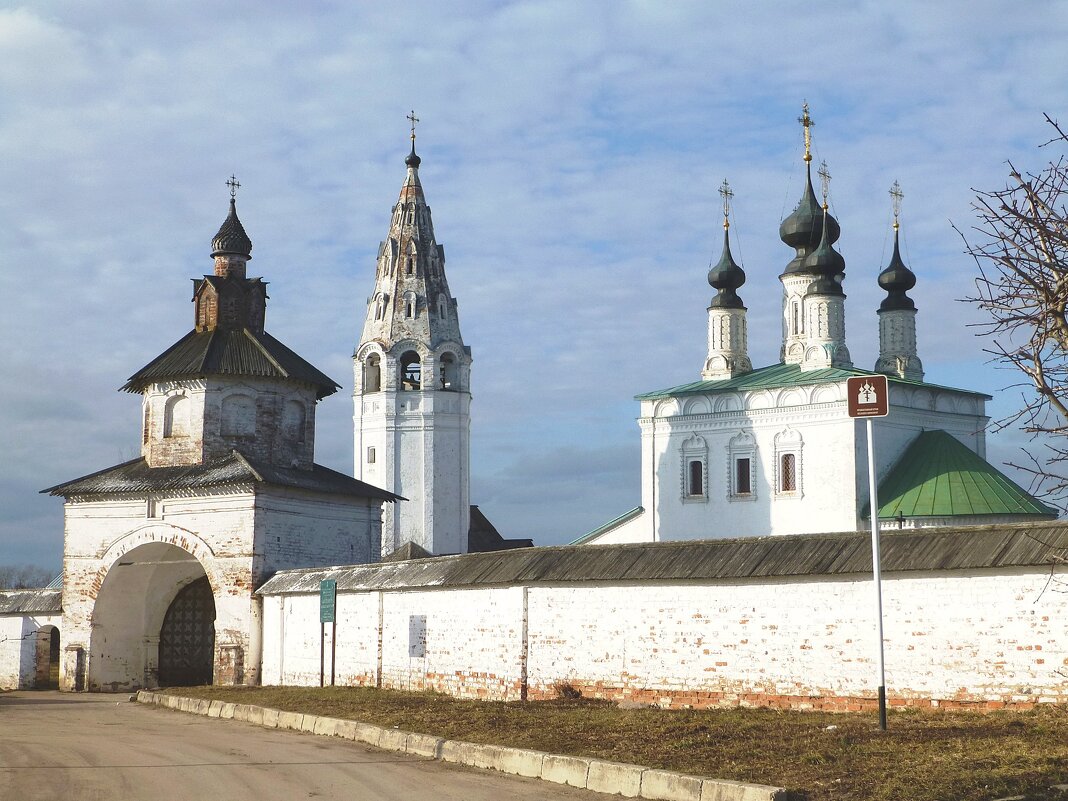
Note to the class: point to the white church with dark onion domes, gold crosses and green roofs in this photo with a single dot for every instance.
(747, 452)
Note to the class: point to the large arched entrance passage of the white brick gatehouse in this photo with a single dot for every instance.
(153, 622)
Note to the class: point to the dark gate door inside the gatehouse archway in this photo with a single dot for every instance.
(187, 639)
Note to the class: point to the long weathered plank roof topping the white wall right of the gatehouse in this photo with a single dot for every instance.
(781, 557)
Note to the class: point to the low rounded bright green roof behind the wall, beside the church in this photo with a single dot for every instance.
(940, 477)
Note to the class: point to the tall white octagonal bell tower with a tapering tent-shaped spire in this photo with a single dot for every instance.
(412, 389)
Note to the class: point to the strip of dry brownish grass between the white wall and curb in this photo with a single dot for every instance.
(925, 757)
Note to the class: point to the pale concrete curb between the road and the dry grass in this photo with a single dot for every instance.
(630, 781)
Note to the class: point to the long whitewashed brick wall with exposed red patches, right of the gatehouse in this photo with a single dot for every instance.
(984, 638)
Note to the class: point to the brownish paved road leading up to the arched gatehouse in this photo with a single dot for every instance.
(102, 747)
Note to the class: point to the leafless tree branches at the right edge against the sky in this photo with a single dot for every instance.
(1020, 245)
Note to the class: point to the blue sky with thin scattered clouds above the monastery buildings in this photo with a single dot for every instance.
(572, 154)
